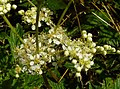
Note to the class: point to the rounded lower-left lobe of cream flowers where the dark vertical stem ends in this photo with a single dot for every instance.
(30, 61)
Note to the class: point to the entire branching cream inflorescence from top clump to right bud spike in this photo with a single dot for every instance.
(55, 44)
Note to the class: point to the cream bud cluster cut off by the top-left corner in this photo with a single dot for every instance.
(5, 6)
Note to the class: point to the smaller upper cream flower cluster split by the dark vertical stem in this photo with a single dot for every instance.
(30, 16)
